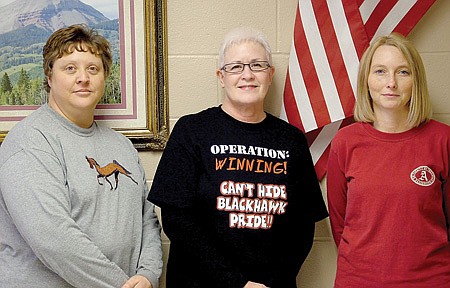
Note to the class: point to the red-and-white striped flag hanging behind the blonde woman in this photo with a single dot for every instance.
(330, 37)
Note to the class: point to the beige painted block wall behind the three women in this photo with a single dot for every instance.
(195, 30)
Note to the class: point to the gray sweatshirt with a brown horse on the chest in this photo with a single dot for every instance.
(73, 208)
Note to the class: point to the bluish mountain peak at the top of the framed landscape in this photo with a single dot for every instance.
(47, 14)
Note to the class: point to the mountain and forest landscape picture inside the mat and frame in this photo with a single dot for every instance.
(25, 27)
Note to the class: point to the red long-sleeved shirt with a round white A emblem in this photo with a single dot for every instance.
(388, 195)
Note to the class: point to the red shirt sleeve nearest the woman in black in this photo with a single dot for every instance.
(336, 195)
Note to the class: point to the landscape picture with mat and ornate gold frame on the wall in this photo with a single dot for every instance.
(138, 36)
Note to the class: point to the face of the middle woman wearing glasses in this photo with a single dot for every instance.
(248, 88)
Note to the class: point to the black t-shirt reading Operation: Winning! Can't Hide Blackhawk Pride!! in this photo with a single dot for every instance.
(238, 201)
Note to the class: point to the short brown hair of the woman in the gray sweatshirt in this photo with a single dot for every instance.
(75, 37)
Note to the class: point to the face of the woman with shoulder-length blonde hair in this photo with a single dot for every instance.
(390, 81)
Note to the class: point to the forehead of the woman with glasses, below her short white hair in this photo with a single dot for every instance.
(247, 50)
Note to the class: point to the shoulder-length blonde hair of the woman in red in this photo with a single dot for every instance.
(420, 104)
